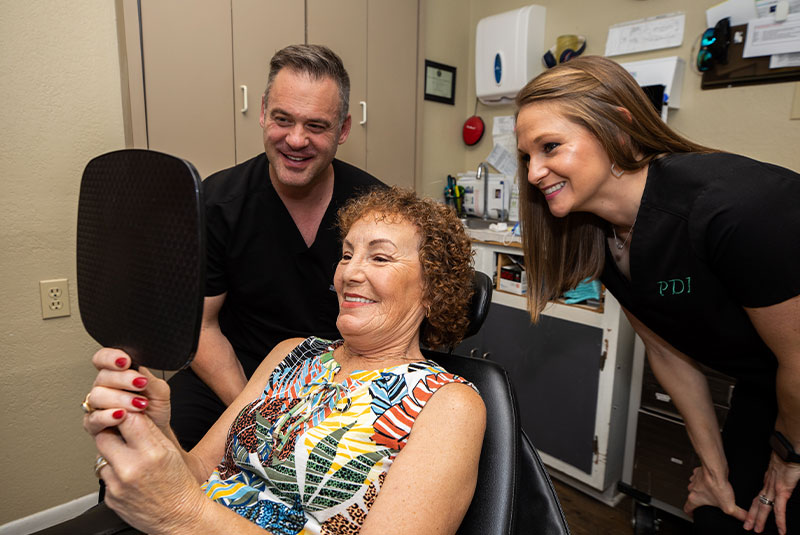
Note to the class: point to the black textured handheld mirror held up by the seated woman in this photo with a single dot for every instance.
(141, 256)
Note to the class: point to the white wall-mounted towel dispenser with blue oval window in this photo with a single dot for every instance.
(508, 53)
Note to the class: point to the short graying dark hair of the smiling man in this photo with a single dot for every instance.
(317, 61)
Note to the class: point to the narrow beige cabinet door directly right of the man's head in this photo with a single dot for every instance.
(342, 26)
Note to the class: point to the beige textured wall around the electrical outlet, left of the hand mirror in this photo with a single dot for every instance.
(61, 106)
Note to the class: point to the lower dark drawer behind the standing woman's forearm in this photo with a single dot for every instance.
(664, 459)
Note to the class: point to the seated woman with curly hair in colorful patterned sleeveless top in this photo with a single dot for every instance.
(308, 445)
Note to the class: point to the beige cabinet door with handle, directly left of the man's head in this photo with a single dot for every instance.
(260, 28)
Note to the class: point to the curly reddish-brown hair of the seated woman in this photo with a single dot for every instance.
(445, 254)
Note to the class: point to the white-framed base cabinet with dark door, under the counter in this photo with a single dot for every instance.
(571, 373)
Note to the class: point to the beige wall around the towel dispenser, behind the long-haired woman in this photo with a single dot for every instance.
(753, 121)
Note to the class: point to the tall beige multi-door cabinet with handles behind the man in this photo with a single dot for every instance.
(201, 67)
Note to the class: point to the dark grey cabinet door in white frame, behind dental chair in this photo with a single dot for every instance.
(554, 366)
